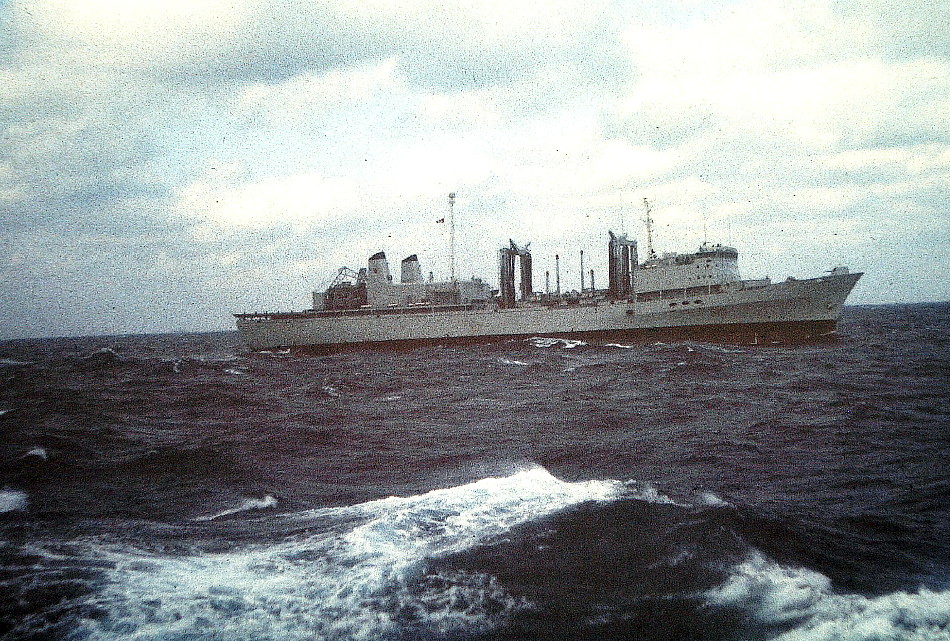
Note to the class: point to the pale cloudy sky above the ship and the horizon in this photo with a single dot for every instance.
(166, 163)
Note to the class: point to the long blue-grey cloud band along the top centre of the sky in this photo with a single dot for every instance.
(445, 51)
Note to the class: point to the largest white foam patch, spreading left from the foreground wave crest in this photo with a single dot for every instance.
(365, 577)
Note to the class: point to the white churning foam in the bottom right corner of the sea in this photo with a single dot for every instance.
(802, 603)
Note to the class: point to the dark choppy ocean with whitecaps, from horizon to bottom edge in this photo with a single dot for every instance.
(180, 487)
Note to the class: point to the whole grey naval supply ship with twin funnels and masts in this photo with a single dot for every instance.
(671, 296)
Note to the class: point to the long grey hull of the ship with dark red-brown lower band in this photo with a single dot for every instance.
(791, 310)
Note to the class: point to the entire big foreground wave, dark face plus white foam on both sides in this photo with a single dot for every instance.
(521, 556)
